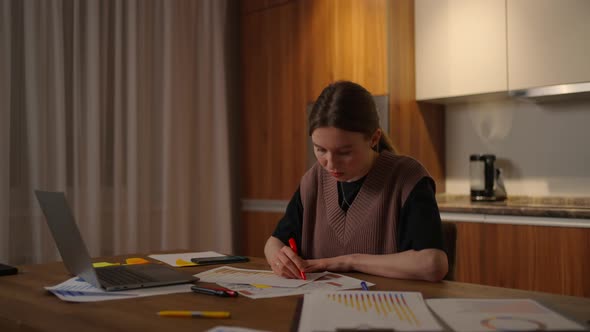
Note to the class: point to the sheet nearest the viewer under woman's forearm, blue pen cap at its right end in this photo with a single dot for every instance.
(327, 282)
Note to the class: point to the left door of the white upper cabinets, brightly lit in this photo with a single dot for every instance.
(460, 47)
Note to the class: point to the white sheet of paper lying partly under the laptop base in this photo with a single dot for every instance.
(78, 290)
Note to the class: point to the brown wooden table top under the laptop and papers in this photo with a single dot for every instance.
(26, 306)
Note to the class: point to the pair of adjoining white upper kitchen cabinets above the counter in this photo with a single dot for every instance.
(474, 47)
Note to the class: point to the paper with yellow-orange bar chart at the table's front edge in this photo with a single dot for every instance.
(365, 310)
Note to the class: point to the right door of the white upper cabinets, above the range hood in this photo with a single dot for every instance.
(548, 42)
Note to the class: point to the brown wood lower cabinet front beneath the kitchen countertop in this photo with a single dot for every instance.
(539, 258)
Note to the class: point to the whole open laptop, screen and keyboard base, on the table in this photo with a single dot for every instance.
(77, 260)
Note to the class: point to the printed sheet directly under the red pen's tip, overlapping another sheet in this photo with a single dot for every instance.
(228, 274)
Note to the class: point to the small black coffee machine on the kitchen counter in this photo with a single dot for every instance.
(485, 179)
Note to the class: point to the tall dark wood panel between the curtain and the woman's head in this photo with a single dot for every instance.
(273, 131)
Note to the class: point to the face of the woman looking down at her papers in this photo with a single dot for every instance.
(346, 155)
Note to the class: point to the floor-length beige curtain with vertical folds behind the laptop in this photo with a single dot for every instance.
(125, 106)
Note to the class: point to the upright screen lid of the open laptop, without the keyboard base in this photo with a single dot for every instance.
(67, 237)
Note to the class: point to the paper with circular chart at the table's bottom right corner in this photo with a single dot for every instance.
(499, 314)
